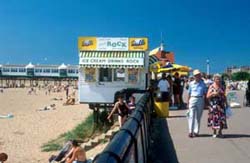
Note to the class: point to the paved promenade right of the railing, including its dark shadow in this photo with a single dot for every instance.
(173, 144)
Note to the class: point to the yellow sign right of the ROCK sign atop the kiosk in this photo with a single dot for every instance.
(138, 44)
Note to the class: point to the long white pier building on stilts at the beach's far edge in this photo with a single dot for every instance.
(18, 74)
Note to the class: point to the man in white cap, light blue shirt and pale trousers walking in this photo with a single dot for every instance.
(196, 101)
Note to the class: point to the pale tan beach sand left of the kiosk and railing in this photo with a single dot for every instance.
(22, 136)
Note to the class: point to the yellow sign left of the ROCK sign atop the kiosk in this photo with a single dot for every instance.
(87, 43)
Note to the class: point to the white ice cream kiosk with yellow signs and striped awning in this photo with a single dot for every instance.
(108, 65)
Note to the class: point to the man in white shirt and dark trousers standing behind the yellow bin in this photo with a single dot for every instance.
(164, 87)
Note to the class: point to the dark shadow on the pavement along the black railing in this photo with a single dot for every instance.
(161, 148)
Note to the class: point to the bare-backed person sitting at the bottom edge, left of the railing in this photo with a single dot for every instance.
(78, 154)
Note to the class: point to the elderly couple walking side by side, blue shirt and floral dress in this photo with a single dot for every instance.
(210, 94)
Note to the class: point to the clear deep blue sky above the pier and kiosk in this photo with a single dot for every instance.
(46, 31)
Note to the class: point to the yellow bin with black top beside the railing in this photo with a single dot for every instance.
(161, 104)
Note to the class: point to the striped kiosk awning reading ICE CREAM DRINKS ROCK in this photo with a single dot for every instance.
(112, 59)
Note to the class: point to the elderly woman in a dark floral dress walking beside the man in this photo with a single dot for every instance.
(216, 105)
